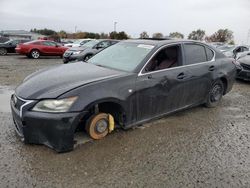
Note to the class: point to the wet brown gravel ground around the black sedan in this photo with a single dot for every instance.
(199, 147)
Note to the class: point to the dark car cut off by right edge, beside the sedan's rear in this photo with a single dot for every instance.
(243, 68)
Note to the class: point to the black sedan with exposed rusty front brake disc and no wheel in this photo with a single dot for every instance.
(127, 84)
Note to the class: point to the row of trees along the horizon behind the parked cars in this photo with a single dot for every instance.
(222, 35)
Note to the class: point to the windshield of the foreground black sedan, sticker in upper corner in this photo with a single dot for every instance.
(122, 56)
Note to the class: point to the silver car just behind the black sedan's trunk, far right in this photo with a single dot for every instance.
(232, 51)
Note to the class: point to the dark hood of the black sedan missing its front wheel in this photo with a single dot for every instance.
(55, 81)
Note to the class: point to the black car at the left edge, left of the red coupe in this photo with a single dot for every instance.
(9, 46)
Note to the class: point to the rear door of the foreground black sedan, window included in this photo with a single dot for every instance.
(200, 65)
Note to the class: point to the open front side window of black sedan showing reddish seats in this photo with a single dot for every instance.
(166, 58)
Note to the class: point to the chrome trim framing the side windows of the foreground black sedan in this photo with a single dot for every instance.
(181, 66)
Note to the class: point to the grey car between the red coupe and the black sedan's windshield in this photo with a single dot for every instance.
(86, 51)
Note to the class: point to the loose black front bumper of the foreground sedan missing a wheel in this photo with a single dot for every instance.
(55, 130)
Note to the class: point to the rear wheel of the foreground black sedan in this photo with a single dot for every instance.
(215, 94)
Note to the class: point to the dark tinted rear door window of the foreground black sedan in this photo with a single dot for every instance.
(194, 54)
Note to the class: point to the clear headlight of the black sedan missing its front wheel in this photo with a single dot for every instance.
(52, 105)
